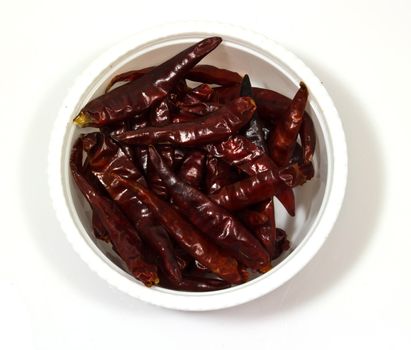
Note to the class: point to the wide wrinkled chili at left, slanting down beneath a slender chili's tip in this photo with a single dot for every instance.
(105, 157)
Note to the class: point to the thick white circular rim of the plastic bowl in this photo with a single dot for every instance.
(334, 194)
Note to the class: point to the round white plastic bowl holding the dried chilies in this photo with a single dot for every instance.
(269, 65)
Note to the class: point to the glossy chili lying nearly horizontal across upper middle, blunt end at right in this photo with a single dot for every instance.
(213, 127)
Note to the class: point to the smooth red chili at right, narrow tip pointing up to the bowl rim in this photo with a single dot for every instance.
(283, 137)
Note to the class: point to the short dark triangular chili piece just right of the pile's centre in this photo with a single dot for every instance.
(218, 175)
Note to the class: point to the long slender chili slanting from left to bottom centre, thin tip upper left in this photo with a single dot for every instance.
(185, 234)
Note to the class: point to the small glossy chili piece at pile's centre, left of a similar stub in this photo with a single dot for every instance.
(192, 169)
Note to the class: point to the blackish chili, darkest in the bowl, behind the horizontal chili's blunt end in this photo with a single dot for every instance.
(254, 129)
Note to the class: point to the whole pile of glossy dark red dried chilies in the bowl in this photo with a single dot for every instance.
(181, 179)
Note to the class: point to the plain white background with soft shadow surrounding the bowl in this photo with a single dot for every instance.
(354, 294)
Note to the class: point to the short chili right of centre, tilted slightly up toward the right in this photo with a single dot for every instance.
(249, 191)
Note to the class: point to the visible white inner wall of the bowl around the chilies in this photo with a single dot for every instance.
(265, 70)
